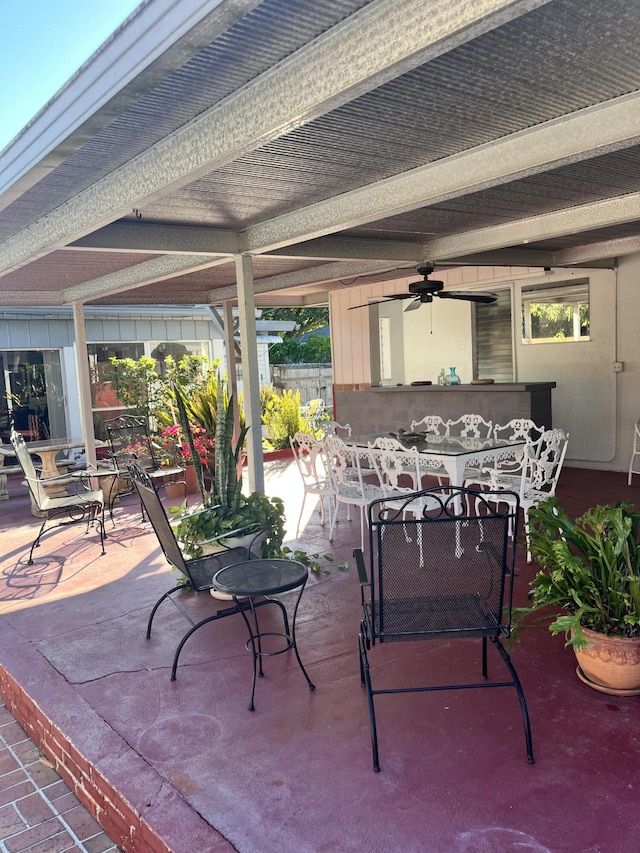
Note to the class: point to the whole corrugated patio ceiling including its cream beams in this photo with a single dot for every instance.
(350, 131)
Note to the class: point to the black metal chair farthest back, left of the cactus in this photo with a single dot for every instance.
(130, 441)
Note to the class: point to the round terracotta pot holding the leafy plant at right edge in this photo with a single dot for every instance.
(610, 664)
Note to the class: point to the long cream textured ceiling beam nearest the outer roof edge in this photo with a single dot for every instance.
(337, 66)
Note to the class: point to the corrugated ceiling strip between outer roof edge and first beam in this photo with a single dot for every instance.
(228, 59)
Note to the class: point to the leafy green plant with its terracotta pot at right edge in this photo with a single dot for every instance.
(591, 574)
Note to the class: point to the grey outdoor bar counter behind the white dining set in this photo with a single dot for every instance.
(387, 407)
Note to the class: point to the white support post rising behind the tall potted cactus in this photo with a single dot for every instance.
(250, 373)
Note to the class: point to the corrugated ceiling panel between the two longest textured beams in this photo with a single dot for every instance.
(472, 95)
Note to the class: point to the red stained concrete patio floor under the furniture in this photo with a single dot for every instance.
(207, 775)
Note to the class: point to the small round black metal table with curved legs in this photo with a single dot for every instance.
(262, 579)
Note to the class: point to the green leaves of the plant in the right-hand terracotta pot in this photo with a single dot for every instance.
(591, 571)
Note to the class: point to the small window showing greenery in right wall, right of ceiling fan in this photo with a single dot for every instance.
(556, 313)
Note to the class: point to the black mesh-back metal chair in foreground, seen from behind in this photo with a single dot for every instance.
(438, 571)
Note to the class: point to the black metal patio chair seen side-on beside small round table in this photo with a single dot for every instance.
(197, 573)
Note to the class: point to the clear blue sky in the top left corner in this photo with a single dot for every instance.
(42, 43)
